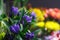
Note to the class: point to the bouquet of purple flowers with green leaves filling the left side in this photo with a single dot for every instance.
(16, 25)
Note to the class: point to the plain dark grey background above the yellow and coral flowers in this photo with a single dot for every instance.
(45, 3)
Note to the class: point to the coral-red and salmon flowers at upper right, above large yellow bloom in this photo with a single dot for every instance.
(54, 13)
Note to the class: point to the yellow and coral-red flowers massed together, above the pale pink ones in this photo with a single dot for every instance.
(47, 14)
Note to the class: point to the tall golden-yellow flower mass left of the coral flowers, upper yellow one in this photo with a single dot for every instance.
(39, 14)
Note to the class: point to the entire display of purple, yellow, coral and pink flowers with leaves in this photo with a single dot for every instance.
(27, 23)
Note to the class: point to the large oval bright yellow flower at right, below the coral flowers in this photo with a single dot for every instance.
(52, 25)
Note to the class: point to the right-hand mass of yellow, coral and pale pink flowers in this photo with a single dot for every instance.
(48, 20)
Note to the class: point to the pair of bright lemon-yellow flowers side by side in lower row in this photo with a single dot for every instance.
(49, 25)
